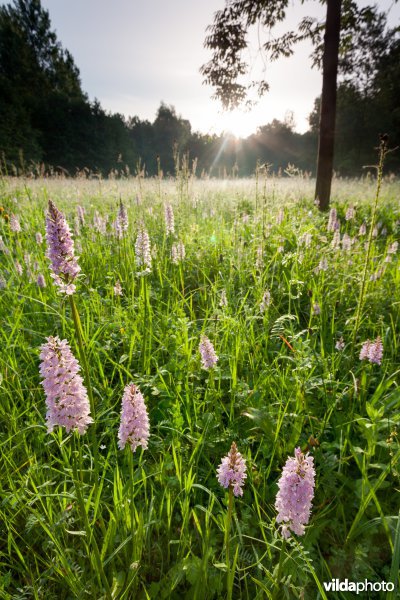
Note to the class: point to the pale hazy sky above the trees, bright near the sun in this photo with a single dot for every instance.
(134, 54)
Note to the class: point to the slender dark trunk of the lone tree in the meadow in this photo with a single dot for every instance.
(328, 104)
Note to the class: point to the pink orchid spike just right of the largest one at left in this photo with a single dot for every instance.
(134, 427)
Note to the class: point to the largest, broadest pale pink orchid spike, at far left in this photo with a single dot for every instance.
(66, 397)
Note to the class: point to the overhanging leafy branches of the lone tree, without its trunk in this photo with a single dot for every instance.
(364, 38)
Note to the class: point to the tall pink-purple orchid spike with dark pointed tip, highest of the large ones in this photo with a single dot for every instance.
(60, 250)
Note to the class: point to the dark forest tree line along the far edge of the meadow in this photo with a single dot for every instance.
(47, 119)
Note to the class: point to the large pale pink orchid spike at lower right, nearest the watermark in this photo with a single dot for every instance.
(296, 491)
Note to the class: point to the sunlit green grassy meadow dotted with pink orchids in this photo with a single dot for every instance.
(288, 296)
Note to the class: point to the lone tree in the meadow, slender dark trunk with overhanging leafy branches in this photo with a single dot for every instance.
(228, 40)
